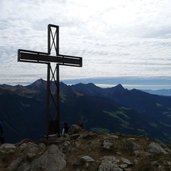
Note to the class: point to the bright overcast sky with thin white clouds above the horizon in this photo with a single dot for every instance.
(114, 37)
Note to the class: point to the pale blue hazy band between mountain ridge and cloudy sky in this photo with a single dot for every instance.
(148, 83)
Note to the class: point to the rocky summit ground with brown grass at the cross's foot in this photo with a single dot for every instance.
(86, 151)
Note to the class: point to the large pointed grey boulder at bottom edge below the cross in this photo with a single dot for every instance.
(51, 160)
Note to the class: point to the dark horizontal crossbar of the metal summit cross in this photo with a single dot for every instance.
(41, 57)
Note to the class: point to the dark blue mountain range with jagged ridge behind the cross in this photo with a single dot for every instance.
(116, 109)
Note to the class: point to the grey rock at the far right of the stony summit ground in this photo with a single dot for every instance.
(155, 148)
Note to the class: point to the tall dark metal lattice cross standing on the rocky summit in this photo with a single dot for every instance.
(53, 120)
